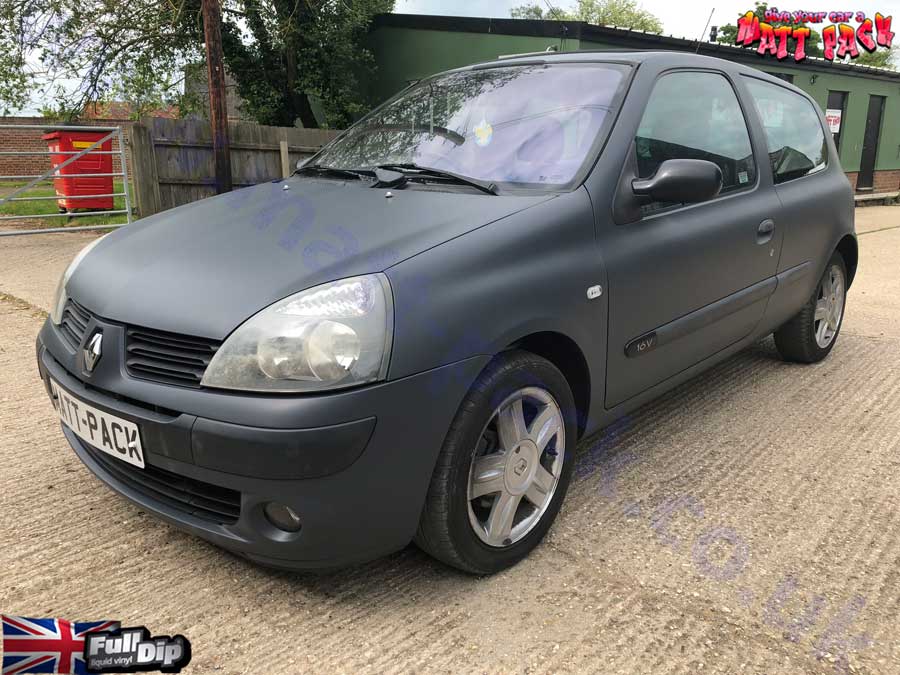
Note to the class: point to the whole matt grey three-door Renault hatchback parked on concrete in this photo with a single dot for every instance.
(405, 340)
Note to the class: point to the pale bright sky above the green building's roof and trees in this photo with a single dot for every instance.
(681, 19)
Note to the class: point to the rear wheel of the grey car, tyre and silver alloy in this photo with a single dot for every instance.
(811, 334)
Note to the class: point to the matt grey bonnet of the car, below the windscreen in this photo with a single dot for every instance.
(203, 268)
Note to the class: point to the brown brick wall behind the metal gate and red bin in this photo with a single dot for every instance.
(30, 140)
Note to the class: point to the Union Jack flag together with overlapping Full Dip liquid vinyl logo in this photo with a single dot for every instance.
(83, 647)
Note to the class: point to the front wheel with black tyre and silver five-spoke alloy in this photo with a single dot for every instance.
(504, 467)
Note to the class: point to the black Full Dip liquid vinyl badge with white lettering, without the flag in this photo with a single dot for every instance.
(131, 650)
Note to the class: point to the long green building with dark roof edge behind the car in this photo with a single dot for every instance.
(864, 102)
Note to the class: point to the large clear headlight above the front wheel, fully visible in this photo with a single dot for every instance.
(327, 337)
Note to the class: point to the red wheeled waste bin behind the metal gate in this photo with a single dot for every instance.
(75, 192)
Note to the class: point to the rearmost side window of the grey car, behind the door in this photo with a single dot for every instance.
(794, 132)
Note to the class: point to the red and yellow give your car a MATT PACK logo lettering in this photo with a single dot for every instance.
(780, 33)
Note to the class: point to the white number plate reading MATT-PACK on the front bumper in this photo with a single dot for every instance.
(108, 433)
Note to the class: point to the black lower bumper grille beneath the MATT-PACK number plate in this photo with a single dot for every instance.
(203, 500)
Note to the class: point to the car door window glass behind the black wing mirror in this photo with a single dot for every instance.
(695, 115)
